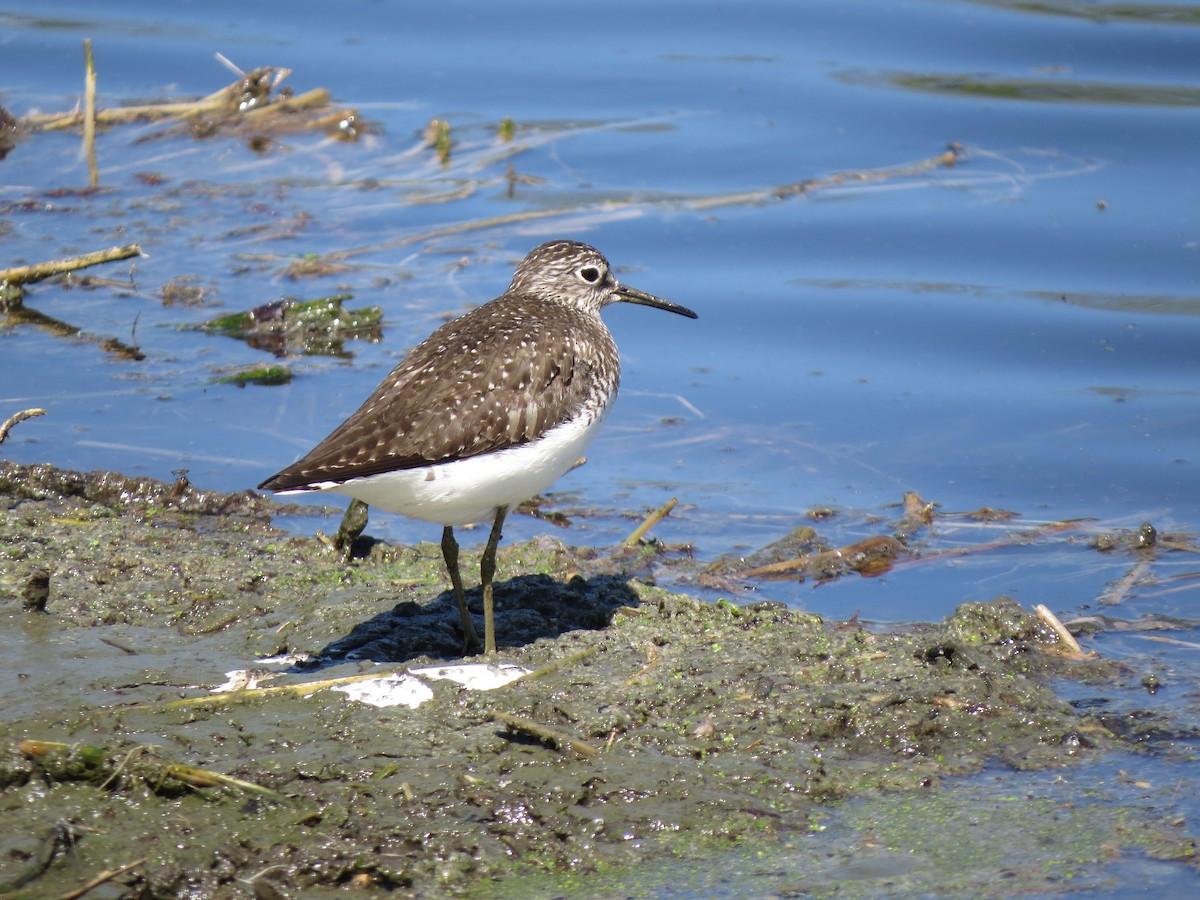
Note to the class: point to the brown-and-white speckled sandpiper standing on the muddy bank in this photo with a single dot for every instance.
(489, 411)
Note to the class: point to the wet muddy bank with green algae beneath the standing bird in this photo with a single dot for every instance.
(652, 737)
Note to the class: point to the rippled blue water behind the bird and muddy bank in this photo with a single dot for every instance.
(1017, 332)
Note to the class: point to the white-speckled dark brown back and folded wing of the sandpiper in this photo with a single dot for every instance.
(501, 376)
